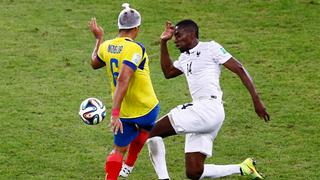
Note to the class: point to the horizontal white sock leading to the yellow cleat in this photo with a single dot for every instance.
(216, 171)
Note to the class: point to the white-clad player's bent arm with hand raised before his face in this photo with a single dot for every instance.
(169, 71)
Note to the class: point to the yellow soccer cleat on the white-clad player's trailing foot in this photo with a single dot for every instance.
(248, 168)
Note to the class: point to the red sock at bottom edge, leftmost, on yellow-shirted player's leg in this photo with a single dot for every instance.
(113, 166)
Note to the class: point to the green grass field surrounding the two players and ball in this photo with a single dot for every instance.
(45, 50)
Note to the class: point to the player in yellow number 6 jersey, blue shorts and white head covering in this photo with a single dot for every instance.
(134, 104)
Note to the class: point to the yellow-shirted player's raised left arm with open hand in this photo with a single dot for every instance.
(97, 31)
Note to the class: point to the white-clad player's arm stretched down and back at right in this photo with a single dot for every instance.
(236, 67)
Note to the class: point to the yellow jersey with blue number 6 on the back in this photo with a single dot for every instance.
(140, 98)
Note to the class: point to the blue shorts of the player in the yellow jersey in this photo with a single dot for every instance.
(131, 127)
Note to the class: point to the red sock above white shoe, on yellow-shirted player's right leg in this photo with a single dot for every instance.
(135, 147)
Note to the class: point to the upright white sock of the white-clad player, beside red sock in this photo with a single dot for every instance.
(157, 153)
